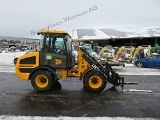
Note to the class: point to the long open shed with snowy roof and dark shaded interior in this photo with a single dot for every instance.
(118, 37)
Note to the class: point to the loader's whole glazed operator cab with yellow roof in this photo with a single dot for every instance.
(56, 49)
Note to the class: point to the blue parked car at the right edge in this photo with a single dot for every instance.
(152, 61)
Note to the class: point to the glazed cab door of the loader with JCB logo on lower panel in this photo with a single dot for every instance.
(54, 52)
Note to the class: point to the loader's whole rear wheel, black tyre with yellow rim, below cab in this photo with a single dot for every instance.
(41, 80)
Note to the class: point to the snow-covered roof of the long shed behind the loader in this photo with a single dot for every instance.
(114, 33)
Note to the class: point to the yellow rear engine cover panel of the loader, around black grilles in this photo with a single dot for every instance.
(25, 76)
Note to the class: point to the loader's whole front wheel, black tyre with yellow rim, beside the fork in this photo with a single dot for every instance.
(94, 81)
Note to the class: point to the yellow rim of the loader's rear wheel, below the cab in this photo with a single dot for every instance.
(41, 81)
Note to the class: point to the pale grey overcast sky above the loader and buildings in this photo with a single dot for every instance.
(20, 18)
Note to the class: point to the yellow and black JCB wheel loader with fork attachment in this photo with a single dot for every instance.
(55, 61)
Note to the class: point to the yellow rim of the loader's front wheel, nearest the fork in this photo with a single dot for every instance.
(95, 82)
